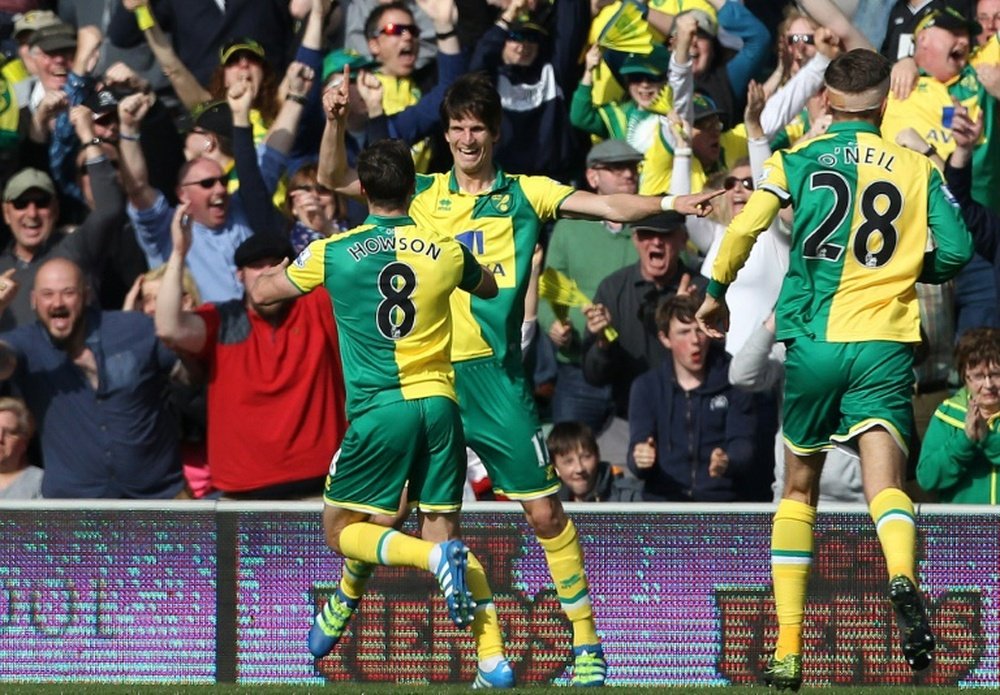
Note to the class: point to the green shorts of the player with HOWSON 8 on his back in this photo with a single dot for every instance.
(419, 441)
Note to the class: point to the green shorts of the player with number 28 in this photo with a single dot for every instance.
(836, 391)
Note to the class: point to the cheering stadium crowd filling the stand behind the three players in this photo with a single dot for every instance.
(137, 365)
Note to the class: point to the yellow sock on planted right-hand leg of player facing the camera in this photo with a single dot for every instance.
(565, 558)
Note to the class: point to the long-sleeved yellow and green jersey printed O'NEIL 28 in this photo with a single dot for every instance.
(866, 211)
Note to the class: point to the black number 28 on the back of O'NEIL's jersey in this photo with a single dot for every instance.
(817, 244)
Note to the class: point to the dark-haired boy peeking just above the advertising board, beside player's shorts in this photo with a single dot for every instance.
(577, 460)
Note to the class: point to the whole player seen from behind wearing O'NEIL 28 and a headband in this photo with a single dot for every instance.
(871, 220)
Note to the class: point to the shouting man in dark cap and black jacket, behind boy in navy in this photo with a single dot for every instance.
(627, 301)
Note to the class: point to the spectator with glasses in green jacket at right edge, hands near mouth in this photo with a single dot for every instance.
(961, 452)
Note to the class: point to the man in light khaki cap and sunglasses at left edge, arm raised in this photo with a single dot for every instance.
(31, 211)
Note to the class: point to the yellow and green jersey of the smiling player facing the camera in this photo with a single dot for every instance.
(501, 228)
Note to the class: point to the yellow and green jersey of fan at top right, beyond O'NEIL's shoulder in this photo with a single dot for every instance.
(924, 109)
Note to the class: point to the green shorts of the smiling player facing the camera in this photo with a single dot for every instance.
(498, 415)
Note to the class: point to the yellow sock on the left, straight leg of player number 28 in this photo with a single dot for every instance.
(791, 558)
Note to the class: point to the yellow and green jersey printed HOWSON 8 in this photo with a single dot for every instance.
(389, 280)
